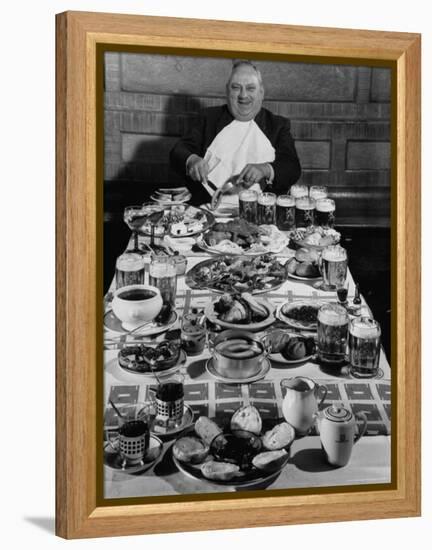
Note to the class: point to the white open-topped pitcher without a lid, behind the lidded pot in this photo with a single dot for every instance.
(302, 400)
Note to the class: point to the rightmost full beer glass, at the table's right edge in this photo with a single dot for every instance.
(364, 343)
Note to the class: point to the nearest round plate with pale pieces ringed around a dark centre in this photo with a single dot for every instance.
(242, 454)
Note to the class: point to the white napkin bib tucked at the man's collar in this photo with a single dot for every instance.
(237, 144)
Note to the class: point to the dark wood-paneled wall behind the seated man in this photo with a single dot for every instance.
(340, 120)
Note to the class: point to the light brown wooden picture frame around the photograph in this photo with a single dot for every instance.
(78, 267)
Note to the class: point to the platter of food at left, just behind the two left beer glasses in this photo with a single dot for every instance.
(175, 220)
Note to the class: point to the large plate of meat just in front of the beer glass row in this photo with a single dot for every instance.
(239, 237)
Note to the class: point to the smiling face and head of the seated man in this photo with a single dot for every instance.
(244, 94)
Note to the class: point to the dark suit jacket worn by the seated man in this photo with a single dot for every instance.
(210, 122)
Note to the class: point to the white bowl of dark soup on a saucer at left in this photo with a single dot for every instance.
(134, 305)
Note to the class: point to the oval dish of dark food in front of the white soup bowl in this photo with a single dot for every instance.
(163, 358)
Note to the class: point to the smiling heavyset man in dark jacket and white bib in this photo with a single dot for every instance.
(241, 142)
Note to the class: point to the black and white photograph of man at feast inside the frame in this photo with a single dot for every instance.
(246, 275)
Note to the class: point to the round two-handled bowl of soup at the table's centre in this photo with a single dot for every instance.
(238, 354)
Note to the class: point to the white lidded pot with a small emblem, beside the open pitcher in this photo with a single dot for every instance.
(337, 428)
